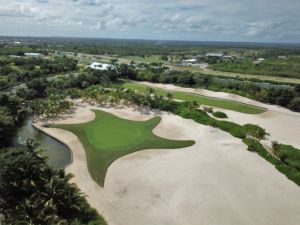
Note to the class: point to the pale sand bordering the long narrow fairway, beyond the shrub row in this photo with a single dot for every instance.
(281, 123)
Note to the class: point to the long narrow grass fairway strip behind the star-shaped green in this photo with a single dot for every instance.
(220, 103)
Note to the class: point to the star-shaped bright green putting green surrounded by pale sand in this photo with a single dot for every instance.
(109, 137)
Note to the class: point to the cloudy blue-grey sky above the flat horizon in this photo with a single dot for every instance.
(203, 20)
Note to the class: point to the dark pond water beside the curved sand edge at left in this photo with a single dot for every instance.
(59, 156)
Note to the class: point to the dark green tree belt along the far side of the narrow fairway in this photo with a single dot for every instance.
(273, 93)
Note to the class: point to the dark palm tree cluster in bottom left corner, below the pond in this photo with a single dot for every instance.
(32, 193)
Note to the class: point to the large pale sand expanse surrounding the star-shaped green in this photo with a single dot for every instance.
(214, 182)
